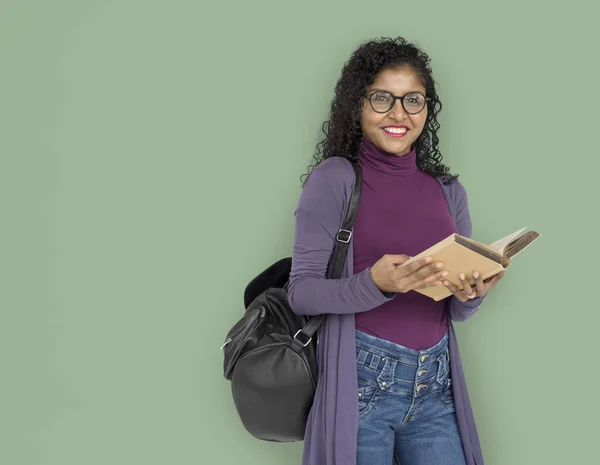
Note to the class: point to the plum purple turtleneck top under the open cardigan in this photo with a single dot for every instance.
(402, 210)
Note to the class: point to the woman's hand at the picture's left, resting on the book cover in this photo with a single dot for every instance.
(389, 276)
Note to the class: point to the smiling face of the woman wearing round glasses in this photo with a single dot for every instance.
(395, 131)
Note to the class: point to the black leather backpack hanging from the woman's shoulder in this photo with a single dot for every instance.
(271, 354)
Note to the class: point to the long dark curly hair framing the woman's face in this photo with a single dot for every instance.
(343, 134)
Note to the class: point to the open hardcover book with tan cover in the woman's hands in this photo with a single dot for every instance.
(463, 255)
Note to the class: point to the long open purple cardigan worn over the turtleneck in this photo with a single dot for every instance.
(332, 429)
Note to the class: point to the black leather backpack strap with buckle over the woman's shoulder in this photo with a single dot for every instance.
(338, 257)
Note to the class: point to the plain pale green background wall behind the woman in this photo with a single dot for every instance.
(151, 154)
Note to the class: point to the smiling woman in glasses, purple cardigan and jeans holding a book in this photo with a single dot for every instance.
(391, 387)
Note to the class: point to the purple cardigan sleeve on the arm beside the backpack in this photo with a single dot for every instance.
(319, 214)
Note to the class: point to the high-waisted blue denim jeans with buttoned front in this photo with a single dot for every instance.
(406, 407)
